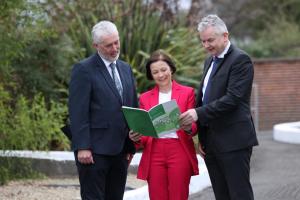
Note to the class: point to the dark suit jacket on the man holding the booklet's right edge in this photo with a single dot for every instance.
(227, 116)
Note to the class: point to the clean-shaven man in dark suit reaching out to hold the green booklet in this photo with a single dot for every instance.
(226, 129)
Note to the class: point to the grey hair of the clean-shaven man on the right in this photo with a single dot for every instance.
(214, 21)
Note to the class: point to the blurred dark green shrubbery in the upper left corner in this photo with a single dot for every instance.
(34, 56)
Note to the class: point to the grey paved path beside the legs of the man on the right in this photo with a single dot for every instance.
(275, 171)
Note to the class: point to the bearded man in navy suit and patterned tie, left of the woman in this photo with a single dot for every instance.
(99, 86)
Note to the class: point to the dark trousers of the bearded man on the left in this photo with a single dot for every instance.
(103, 180)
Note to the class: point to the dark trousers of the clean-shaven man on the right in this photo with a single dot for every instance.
(230, 173)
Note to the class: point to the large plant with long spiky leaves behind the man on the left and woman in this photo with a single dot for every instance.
(142, 30)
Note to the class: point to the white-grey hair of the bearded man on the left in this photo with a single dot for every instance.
(103, 28)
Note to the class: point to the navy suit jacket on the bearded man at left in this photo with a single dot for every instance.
(96, 119)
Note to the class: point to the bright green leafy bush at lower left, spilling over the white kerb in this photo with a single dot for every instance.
(30, 125)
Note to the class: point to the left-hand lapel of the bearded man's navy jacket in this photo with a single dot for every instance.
(105, 74)
